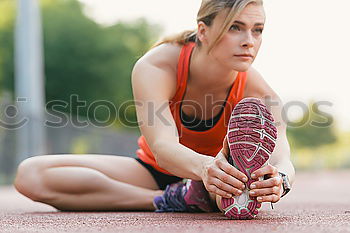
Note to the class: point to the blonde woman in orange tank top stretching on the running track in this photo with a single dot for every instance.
(172, 84)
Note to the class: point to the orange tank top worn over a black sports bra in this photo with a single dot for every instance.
(208, 142)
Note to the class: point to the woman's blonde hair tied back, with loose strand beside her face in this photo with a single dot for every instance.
(209, 9)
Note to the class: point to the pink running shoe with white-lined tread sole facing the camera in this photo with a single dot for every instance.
(251, 138)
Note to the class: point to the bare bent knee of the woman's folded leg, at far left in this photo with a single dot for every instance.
(28, 180)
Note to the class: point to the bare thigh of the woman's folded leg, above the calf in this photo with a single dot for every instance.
(120, 168)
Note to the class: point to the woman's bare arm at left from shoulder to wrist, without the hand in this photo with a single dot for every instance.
(153, 86)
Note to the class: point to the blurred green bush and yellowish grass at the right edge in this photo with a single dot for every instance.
(316, 142)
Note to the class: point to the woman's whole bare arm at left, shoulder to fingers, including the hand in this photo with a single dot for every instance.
(153, 86)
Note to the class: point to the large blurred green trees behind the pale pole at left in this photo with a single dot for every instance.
(82, 58)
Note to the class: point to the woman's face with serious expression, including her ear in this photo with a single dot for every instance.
(240, 45)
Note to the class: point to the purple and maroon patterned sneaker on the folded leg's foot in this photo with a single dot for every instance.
(184, 196)
